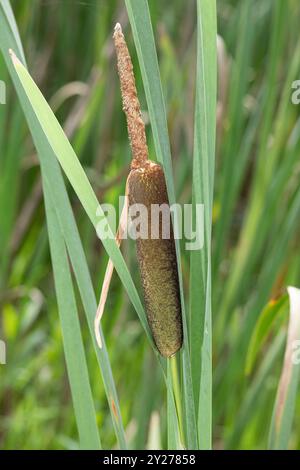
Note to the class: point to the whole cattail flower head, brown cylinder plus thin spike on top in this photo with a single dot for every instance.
(146, 185)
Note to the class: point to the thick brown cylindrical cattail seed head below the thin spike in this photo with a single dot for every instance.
(157, 262)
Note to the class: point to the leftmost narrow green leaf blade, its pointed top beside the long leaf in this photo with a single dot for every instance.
(72, 339)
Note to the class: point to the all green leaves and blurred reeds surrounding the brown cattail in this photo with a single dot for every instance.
(224, 389)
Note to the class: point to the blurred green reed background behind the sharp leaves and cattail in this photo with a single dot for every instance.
(69, 50)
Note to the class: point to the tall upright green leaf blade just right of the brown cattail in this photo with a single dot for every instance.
(203, 177)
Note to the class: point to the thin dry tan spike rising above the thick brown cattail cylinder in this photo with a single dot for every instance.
(131, 104)
